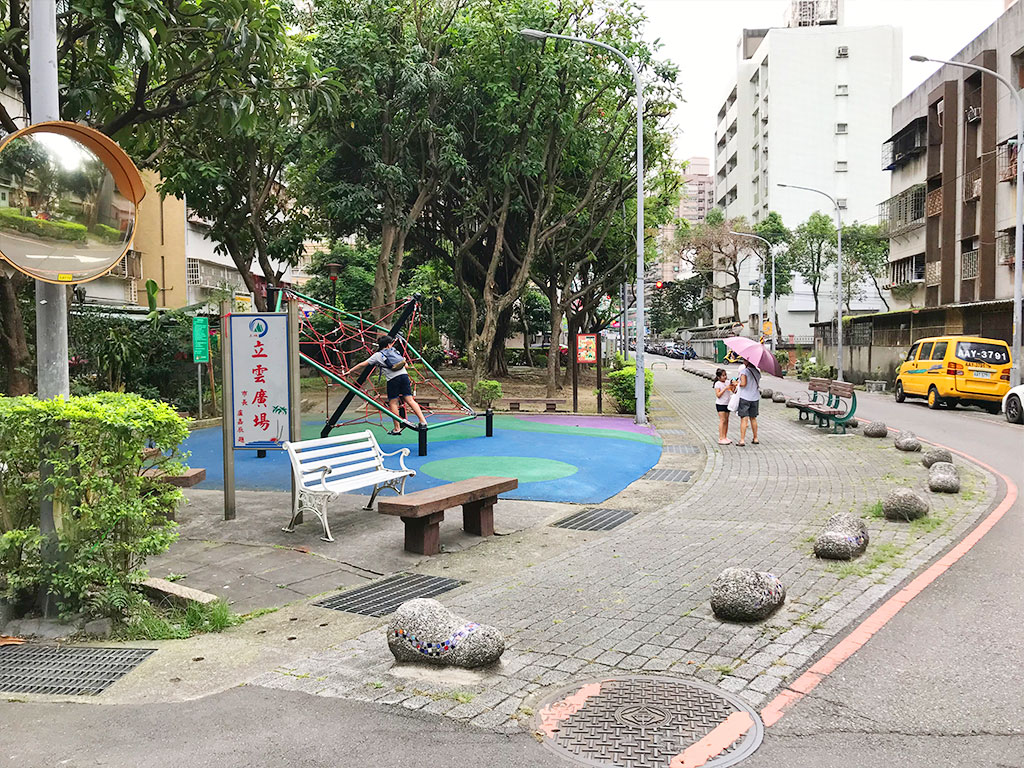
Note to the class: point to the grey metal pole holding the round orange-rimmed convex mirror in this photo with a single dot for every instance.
(53, 378)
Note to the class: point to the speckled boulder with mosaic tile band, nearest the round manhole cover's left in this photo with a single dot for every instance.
(424, 631)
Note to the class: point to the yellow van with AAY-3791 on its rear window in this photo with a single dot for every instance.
(953, 370)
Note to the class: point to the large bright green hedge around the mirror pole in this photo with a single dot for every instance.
(110, 518)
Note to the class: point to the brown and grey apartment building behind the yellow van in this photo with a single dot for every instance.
(951, 211)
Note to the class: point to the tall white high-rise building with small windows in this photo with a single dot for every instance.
(812, 104)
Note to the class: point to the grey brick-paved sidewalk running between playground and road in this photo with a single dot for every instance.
(636, 600)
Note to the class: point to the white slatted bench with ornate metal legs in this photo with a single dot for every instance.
(327, 467)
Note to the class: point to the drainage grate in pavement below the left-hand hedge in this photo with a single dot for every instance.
(65, 671)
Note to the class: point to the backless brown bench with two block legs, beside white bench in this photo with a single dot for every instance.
(423, 511)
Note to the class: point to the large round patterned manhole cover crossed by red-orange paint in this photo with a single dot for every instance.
(650, 722)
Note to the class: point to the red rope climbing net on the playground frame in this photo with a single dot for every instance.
(339, 340)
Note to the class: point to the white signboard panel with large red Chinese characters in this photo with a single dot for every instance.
(261, 374)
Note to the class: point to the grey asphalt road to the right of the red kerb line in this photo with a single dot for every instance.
(941, 685)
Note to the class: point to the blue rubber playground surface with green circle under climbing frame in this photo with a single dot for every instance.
(557, 458)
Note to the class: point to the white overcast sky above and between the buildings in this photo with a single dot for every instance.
(701, 36)
